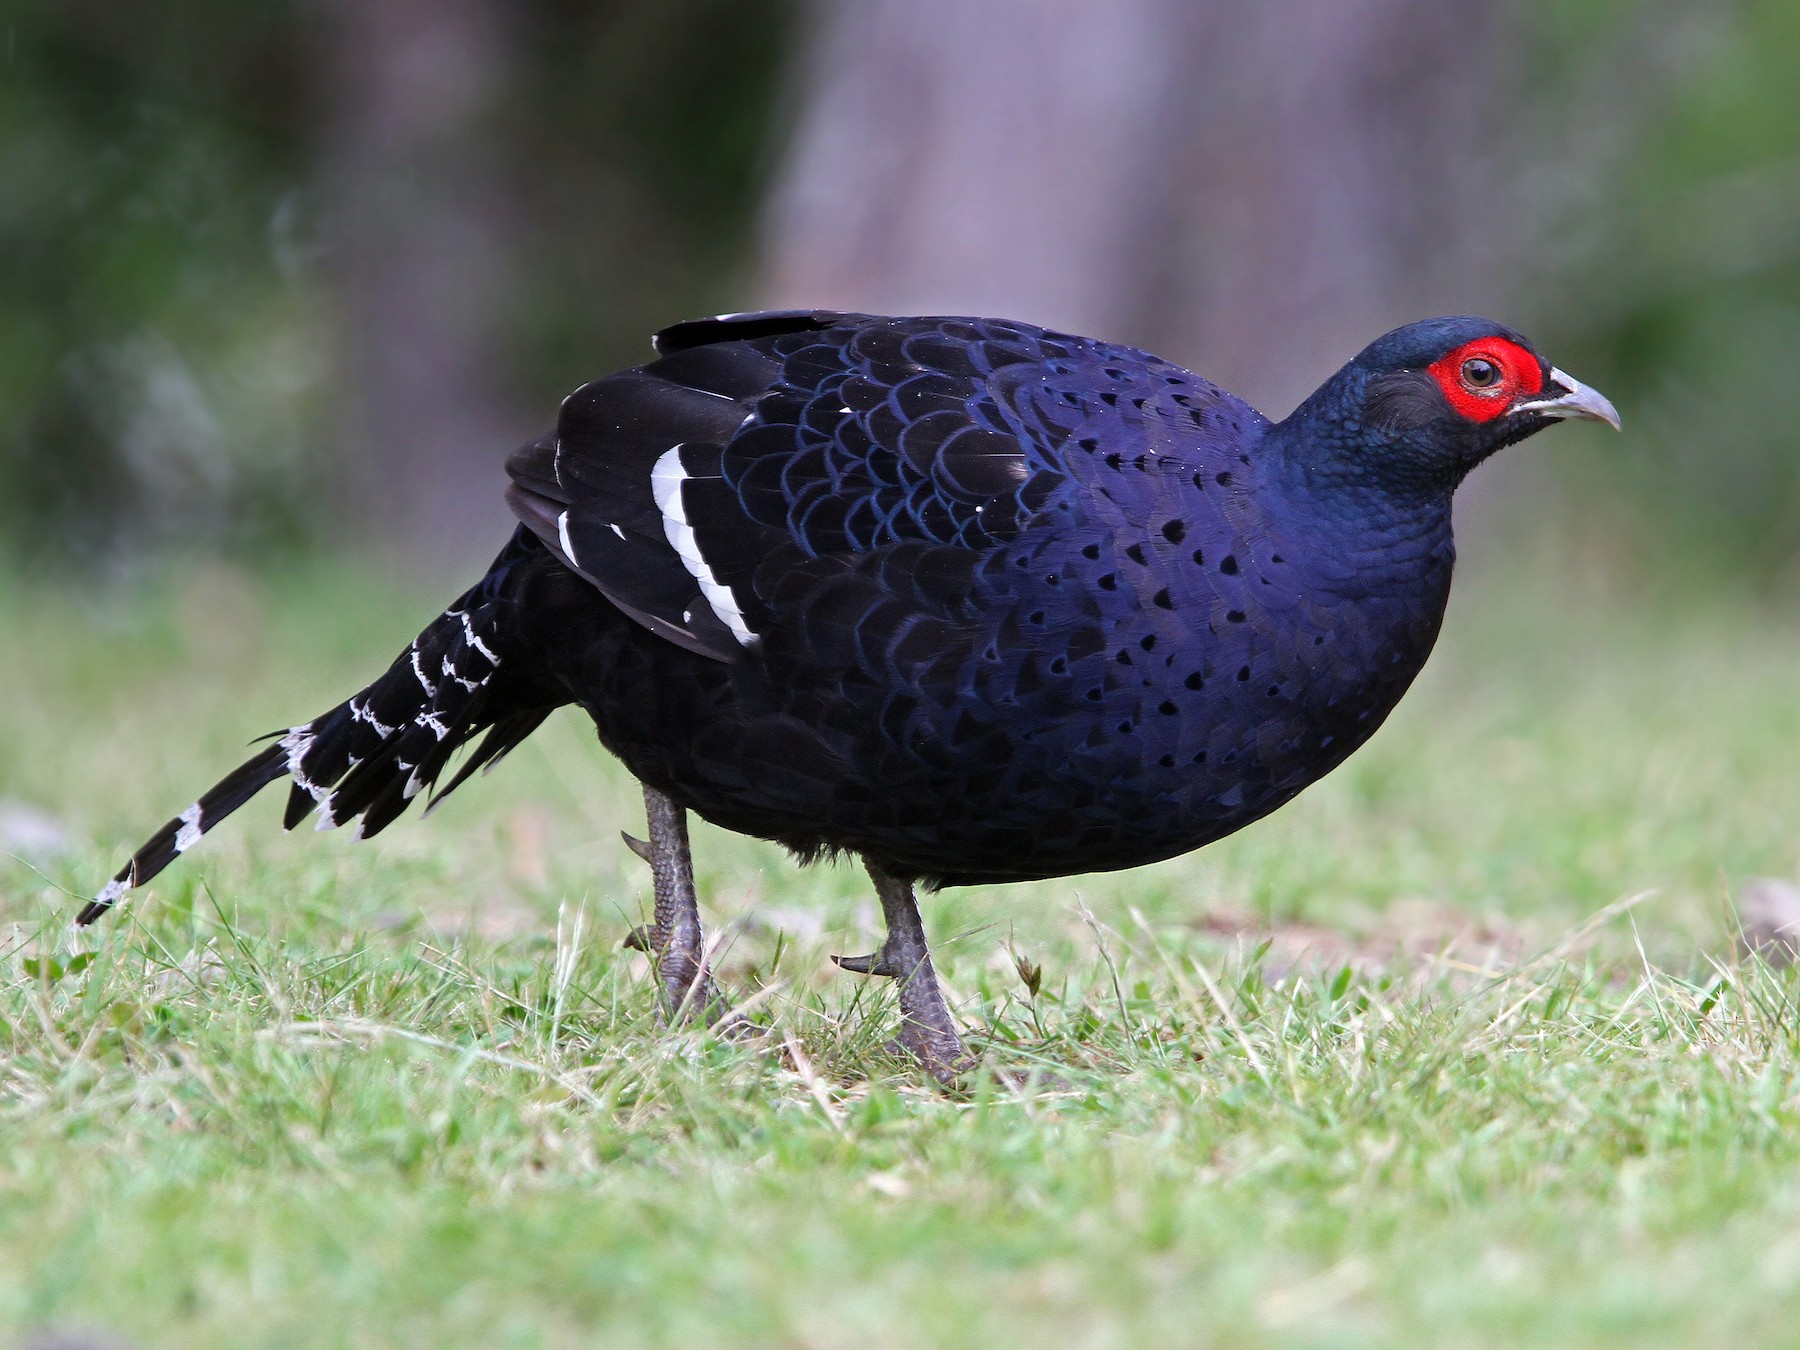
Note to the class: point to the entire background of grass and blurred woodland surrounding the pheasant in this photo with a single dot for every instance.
(283, 282)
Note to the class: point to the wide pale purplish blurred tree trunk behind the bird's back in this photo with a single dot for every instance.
(1254, 188)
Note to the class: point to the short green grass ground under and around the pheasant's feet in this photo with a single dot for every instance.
(1453, 1052)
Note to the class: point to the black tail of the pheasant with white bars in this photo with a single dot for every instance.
(370, 757)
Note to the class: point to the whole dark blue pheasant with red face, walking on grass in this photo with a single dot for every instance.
(973, 600)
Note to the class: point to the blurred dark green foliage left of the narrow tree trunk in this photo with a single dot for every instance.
(150, 348)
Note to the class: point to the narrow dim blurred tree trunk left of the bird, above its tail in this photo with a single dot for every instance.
(417, 224)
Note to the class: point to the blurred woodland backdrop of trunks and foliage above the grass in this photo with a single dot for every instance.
(282, 278)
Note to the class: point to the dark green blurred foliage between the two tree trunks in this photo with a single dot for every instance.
(640, 145)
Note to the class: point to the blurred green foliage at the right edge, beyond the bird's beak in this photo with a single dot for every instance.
(1678, 280)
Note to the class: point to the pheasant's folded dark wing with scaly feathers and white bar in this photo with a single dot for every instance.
(701, 490)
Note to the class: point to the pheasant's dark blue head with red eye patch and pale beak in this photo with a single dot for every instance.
(1425, 404)
